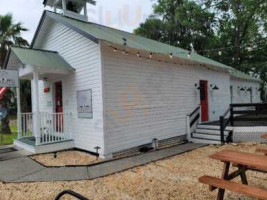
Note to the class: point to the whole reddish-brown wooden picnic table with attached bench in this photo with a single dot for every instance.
(244, 162)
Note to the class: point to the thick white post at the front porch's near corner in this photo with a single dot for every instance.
(35, 105)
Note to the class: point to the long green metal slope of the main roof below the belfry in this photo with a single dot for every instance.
(133, 41)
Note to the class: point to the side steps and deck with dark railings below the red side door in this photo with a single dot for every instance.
(240, 123)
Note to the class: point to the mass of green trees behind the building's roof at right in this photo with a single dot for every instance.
(230, 31)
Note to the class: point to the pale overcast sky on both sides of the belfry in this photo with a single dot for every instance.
(121, 14)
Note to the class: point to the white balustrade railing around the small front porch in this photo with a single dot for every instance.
(53, 127)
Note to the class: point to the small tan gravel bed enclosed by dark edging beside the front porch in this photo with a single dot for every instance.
(66, 158)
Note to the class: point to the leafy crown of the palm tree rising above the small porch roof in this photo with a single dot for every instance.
(10, 34)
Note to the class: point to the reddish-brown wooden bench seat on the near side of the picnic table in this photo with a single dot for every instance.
(250, 191)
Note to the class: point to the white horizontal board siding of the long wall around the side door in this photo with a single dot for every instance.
(146, 100)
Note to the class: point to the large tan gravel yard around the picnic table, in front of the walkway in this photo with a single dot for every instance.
(174, 178)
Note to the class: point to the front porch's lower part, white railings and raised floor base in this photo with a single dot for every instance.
(54, 132)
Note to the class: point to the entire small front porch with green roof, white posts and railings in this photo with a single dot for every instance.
(39, 131)
